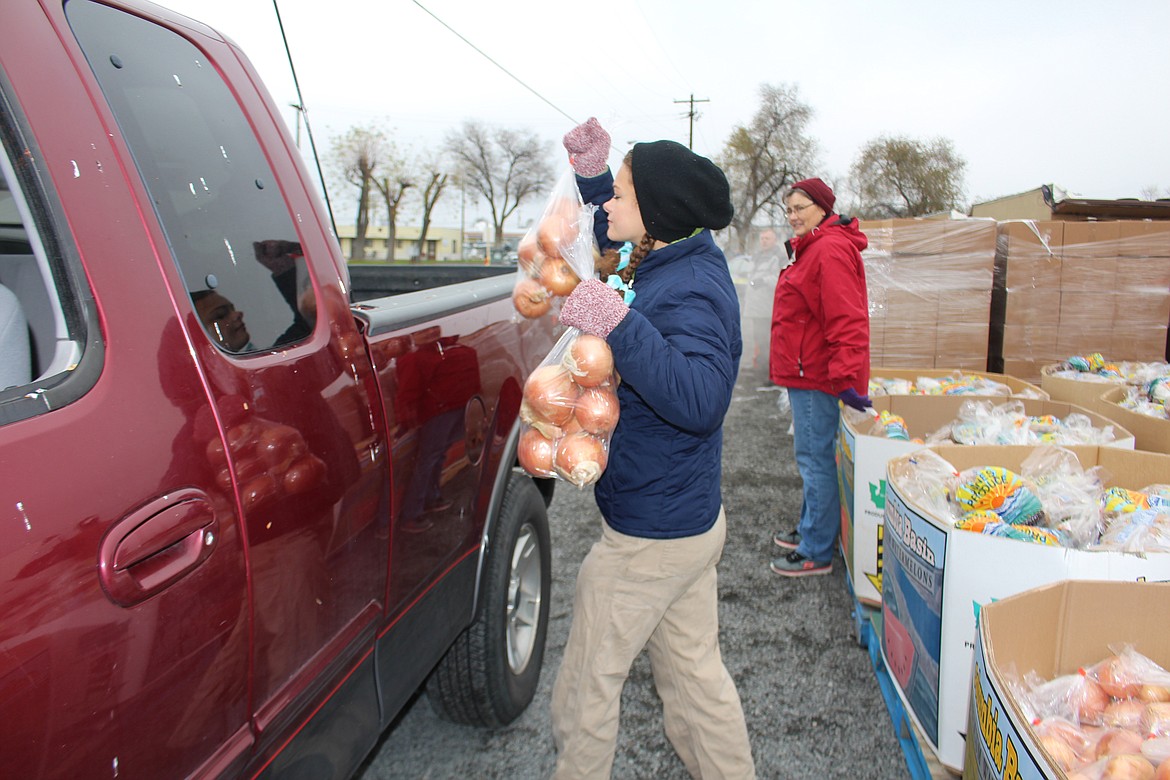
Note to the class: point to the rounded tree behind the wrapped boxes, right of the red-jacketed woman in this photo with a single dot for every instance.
(904, 177)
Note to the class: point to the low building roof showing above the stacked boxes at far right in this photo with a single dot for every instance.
(1050, 203)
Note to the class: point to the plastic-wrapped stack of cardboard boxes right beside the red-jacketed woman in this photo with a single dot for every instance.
(930, 285)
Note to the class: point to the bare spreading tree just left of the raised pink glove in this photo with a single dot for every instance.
(506, 167)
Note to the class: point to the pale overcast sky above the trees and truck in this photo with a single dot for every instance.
(1069, 93)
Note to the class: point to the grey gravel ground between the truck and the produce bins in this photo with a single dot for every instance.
(811, 700)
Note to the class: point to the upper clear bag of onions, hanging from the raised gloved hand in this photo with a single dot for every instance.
(558, 253)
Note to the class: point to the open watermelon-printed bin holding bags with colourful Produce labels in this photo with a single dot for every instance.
(937, 578)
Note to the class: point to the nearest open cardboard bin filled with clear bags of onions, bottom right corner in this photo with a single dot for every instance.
(1058, 633)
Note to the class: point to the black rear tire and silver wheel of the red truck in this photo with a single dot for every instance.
(490, 675)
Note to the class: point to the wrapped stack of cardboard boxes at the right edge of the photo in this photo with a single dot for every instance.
(1076, 288)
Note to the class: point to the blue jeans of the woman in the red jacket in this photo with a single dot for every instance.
(816, 417)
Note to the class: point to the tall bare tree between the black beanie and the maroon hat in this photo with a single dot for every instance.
(767, 156)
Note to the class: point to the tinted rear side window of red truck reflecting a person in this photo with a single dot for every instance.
(216, 196)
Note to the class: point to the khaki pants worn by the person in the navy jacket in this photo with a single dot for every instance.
(659, 595)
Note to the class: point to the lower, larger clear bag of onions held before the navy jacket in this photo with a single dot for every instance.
(569, 411)
